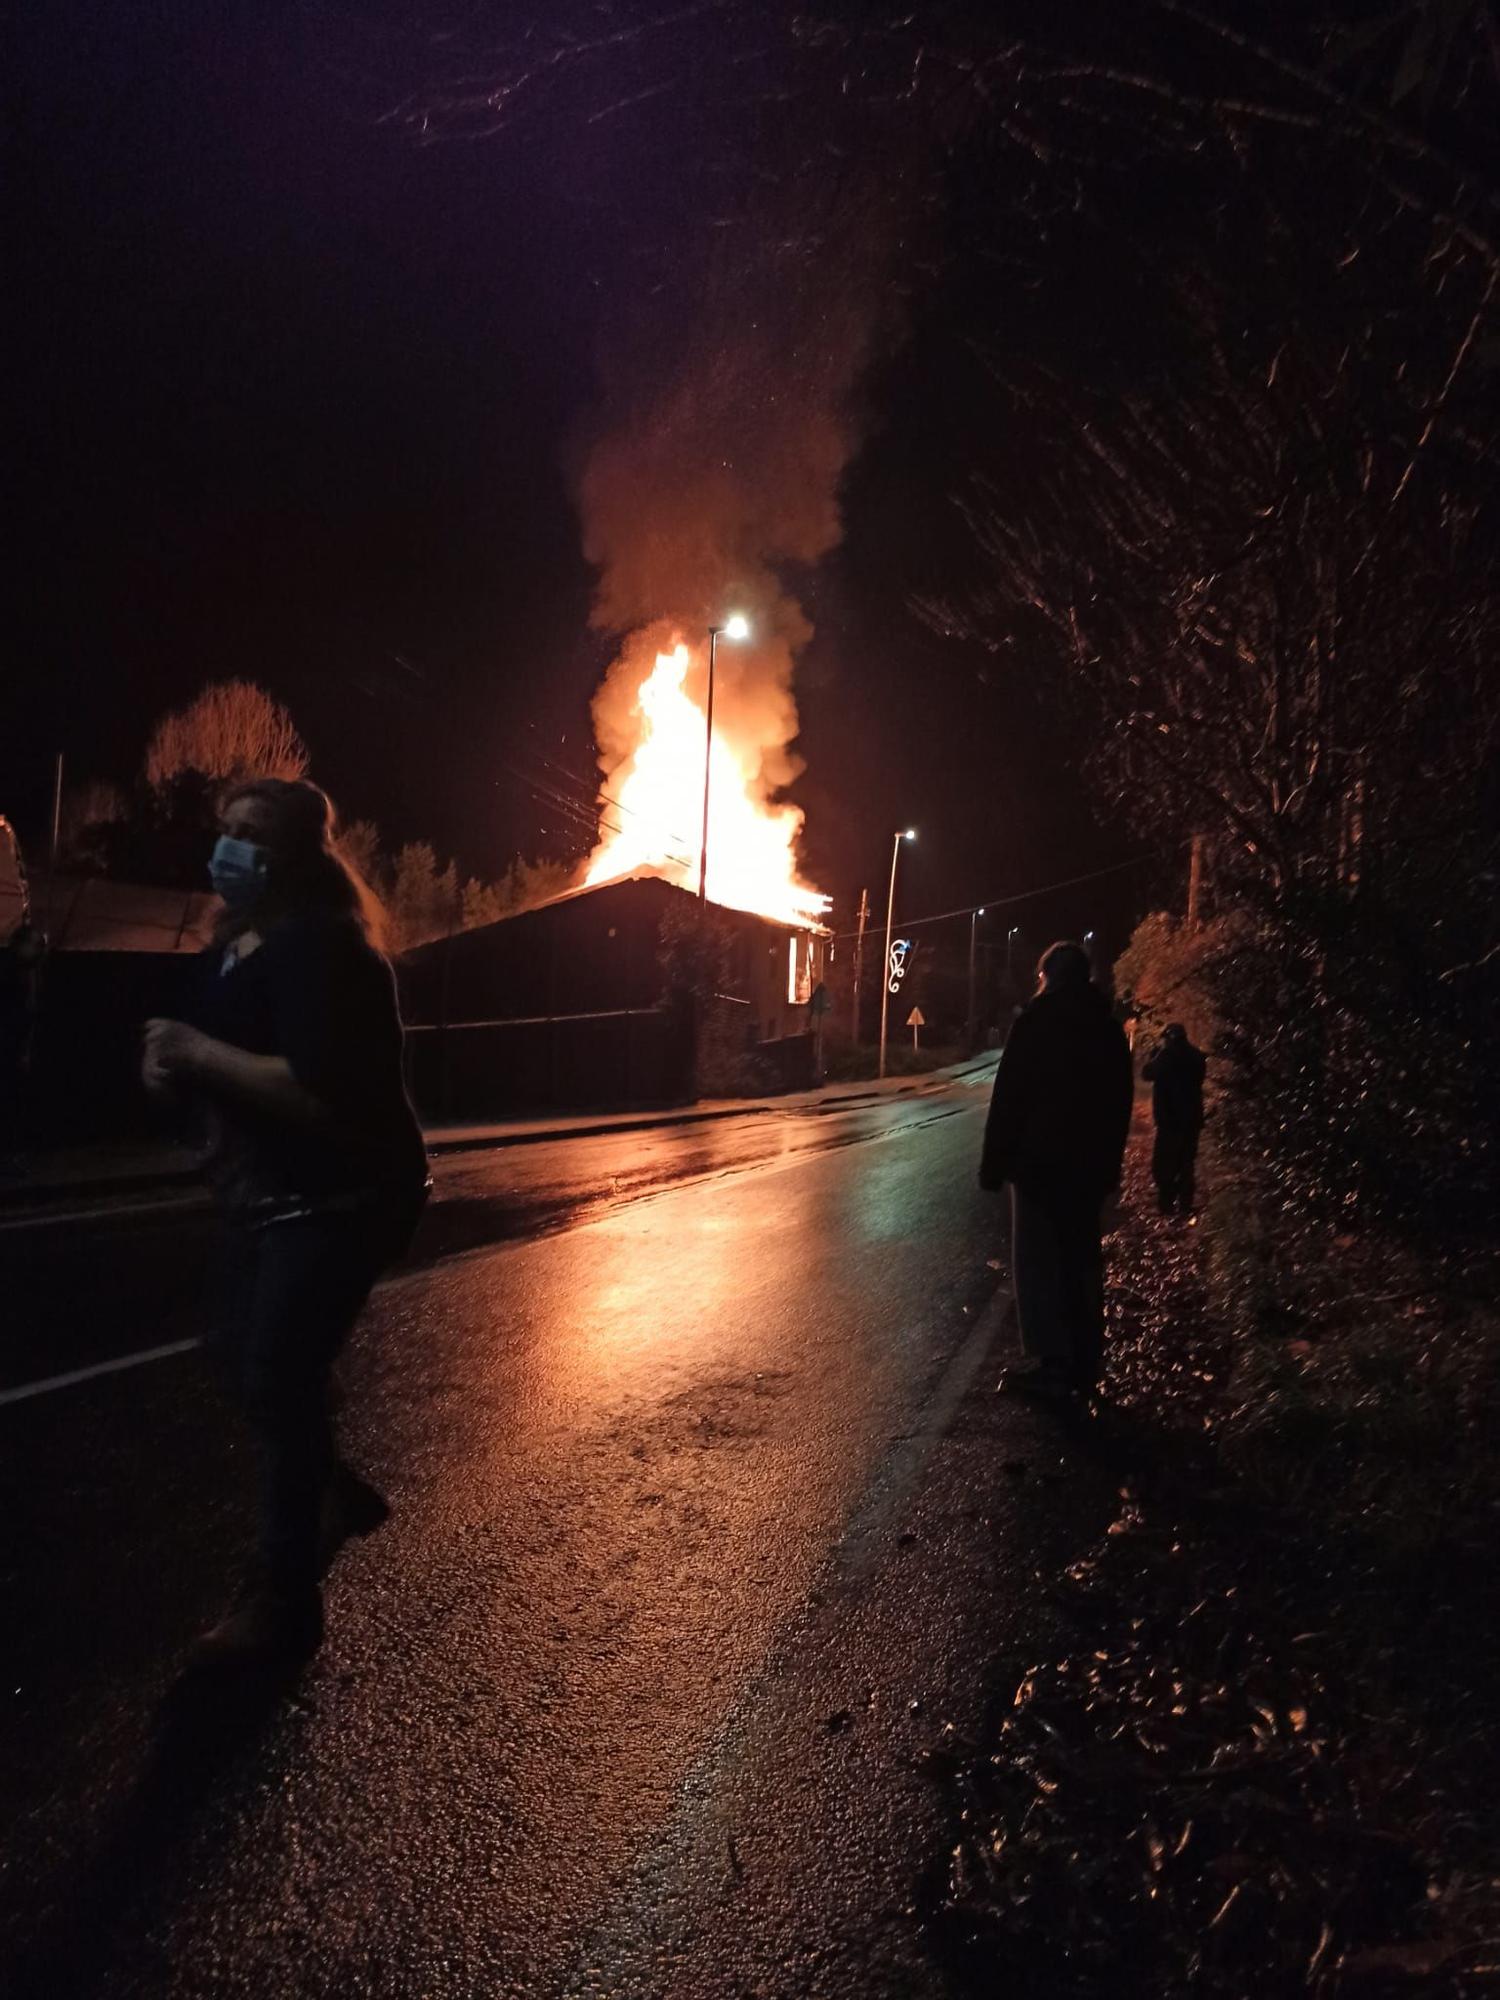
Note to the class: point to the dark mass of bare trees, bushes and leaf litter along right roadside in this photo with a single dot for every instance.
(1251, 523)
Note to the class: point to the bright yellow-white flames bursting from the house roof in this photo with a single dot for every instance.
(655, 821)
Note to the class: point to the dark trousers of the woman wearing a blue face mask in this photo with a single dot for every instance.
(301, 1289)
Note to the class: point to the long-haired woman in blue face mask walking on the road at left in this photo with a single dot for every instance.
(295, 1057)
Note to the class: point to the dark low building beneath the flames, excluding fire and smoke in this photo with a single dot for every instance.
(589, 1001)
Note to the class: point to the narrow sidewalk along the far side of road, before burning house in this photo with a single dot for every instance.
(113, 1169)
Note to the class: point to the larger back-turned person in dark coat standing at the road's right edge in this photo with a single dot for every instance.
(1057, 1137)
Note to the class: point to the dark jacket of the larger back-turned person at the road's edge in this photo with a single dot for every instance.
(1063, 1097)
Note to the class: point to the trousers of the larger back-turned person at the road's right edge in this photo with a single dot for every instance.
(1057, 1253)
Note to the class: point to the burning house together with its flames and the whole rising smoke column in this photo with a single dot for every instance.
(715, 469)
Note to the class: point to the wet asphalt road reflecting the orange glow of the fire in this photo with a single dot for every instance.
(709, 1531)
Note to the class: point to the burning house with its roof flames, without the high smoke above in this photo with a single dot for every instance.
(631, 989)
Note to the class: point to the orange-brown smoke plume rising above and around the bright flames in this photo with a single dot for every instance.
(715, 479)
